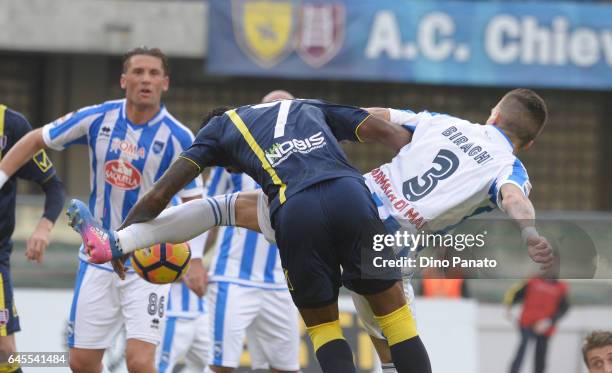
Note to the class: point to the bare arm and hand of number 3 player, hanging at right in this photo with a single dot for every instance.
(520, 208)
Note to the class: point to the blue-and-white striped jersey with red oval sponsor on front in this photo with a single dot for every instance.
(125, 158)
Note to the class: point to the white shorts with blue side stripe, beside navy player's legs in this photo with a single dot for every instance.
(268, 318)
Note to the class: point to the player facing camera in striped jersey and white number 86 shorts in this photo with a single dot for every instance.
(131, 144)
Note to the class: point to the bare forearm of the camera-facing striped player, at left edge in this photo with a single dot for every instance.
(20, 154)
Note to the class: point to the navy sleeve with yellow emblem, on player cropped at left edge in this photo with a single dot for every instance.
(38, 169)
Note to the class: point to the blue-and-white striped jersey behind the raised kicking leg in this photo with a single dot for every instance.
(242, 256)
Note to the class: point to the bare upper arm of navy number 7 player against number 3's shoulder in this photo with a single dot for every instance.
(377, 128)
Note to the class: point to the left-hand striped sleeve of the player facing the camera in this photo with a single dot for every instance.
(70, 129)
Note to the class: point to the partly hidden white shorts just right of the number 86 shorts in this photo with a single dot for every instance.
(184, 339)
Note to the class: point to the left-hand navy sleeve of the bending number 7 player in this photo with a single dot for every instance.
(206, 149)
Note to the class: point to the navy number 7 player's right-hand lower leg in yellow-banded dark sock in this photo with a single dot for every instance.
(398, 325)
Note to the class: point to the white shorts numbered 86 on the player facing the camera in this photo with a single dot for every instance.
(102, 303)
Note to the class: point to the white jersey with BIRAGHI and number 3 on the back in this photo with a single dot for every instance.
(451, 170)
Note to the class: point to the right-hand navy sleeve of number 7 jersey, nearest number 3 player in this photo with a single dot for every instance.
(344, 121)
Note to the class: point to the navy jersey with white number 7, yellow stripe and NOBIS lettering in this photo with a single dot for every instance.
(285, 145)
